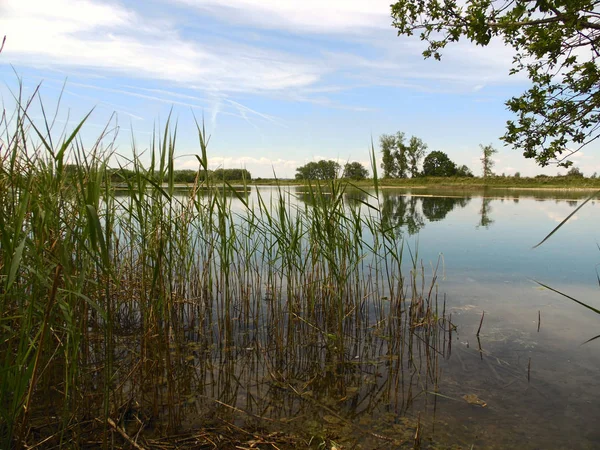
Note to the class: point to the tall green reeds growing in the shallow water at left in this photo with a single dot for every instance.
(128, 317)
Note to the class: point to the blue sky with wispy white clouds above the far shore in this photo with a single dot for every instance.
(277, 83)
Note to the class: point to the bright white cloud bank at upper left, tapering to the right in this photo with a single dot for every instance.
(94, 35)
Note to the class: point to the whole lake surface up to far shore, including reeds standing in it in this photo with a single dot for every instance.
(299, 317)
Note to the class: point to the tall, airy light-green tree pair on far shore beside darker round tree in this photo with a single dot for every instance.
(400, 159)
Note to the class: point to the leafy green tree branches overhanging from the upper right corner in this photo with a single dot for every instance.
(557, 47)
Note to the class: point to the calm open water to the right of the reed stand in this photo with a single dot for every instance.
(540, 387)
